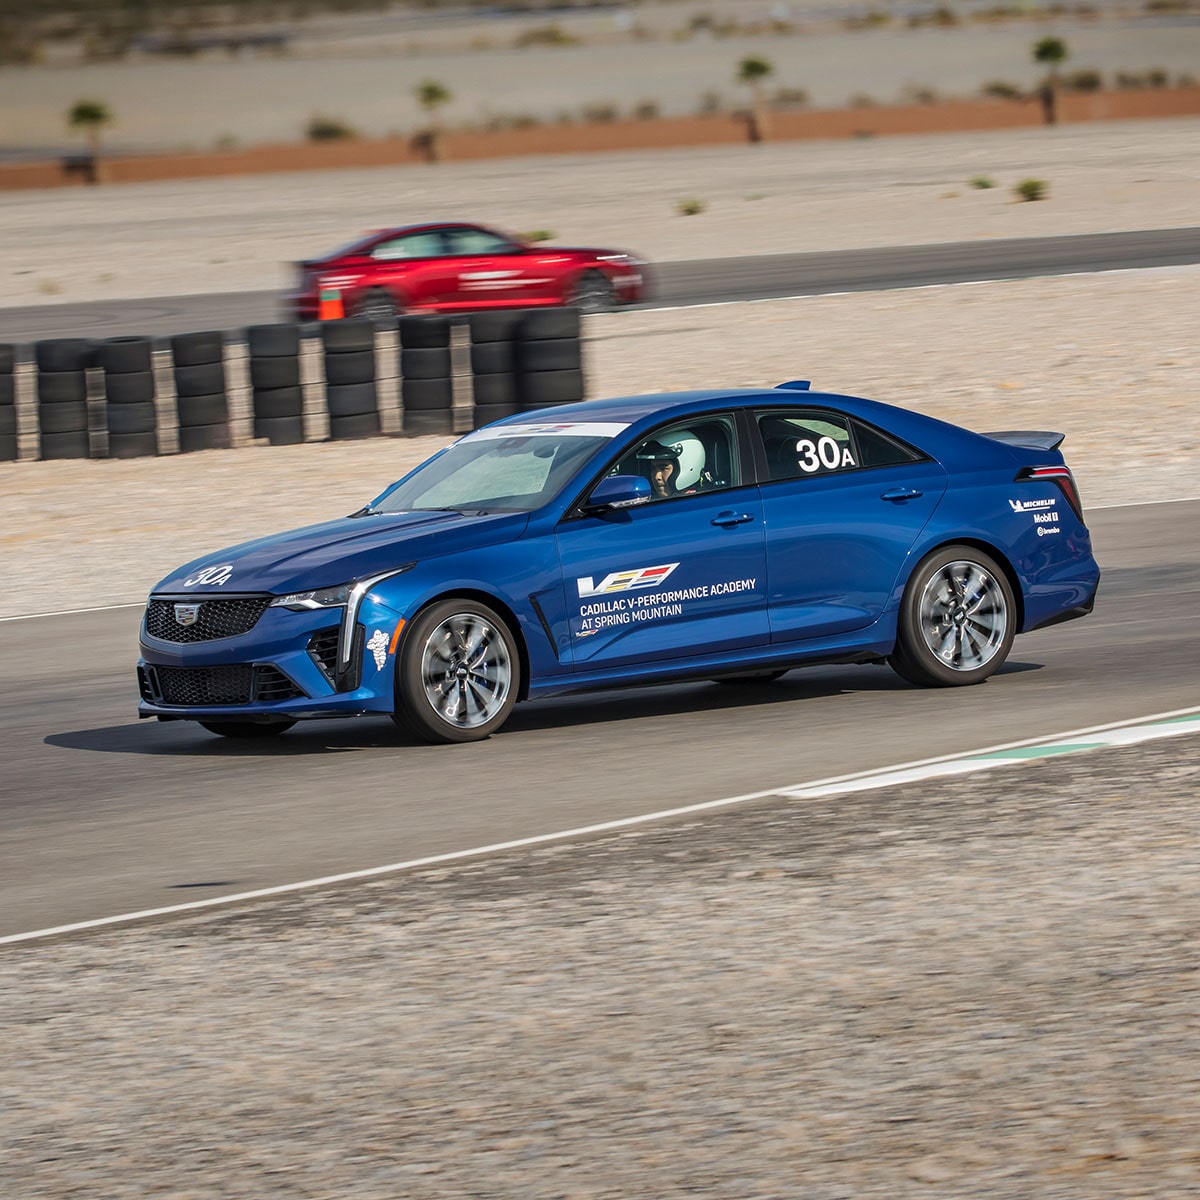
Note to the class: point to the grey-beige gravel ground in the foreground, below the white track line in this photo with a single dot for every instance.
(975, 988)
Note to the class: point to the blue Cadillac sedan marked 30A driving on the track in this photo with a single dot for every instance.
(724, 535)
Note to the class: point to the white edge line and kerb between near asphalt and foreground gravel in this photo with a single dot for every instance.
(1145, 729)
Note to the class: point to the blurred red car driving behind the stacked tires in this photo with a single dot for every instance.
(460, 268)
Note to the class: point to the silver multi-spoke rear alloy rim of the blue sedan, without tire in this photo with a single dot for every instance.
(964, 616)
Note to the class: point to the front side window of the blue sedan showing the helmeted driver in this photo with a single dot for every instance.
(686, 459)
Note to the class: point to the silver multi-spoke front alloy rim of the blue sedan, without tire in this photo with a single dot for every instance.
(466, 670)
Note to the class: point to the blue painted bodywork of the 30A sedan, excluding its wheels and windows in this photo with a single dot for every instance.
(751, 574)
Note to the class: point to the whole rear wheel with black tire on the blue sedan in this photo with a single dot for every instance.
(958, 620)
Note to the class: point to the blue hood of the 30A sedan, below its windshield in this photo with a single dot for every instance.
(335, 553)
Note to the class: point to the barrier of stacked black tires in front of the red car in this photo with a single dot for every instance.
(283, 385)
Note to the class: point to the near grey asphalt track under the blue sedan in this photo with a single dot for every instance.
(104, 814)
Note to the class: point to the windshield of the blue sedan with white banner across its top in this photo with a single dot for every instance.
(514, 469)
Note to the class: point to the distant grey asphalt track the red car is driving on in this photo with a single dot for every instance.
(706, 281)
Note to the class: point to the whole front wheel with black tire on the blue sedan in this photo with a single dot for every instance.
(473, 644)
